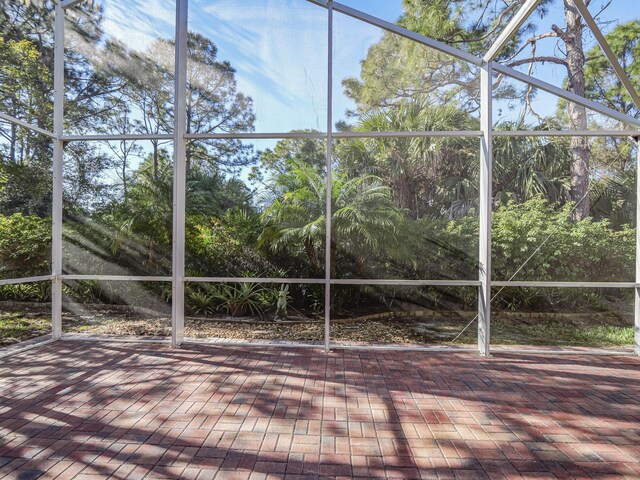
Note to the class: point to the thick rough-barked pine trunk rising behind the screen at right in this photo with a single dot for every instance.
(577, 114)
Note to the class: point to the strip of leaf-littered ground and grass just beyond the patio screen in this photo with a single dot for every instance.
(508, 328)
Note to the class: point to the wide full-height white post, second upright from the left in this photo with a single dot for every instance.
(179, 176)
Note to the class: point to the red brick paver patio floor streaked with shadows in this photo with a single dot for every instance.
(107, 410)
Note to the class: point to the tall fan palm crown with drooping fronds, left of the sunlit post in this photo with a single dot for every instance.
(426, 175)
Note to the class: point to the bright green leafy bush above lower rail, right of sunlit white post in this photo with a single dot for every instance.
(564, 250)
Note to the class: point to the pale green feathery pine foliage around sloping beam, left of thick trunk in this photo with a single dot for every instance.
(397, 69)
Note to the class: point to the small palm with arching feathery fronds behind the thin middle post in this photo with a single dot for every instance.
(363, 216)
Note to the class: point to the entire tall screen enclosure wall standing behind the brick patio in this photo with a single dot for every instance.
(168, 168)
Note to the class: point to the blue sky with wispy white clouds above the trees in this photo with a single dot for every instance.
(279, 48)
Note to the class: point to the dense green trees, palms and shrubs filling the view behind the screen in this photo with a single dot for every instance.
(402, 208)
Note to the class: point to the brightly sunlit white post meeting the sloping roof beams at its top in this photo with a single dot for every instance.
(485, 207)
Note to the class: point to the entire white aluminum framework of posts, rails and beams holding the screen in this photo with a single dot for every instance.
(179, 137)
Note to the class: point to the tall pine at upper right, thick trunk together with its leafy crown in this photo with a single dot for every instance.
(396, 70)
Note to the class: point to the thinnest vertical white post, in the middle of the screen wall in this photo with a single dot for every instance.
(329, 167)
